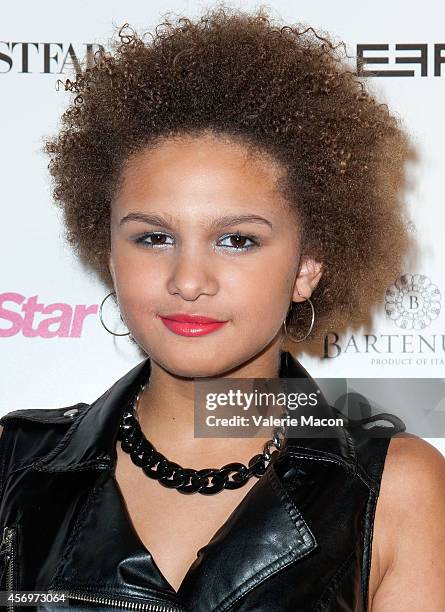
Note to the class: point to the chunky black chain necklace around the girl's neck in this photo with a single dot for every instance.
(186, 480)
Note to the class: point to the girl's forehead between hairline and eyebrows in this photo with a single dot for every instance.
(200, 168)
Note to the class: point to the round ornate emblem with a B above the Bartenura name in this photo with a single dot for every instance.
(413, 301)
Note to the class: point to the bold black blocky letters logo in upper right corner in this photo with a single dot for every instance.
(423, 59)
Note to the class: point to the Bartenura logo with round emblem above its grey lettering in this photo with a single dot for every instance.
(412, 303)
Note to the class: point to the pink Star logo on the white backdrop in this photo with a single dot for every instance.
(32, 319)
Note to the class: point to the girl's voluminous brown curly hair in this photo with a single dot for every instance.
(287, 91)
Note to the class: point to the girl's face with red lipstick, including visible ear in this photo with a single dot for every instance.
(199, 228)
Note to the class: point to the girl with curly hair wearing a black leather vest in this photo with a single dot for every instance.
(236, 188)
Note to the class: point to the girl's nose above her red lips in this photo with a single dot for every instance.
(192, 275)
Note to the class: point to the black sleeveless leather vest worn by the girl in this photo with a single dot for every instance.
(299, 541)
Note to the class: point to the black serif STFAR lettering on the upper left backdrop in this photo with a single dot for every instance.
(45, 57)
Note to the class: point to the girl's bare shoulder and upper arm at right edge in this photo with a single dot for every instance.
(409, 523)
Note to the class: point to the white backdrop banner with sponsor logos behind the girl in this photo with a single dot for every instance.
(53, 348)
